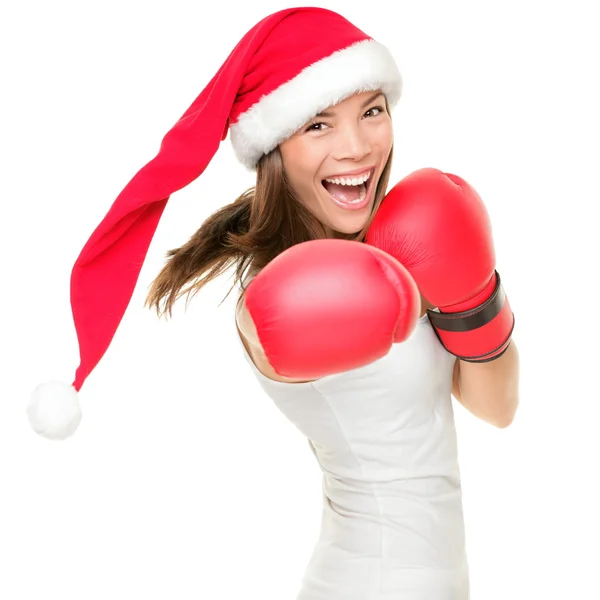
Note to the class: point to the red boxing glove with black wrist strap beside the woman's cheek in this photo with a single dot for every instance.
(437, 226)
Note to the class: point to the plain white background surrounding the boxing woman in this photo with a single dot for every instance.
(183, 480)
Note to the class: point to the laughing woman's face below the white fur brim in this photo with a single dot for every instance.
(334, 162)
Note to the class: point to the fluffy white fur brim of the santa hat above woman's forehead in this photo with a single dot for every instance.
(362, 67)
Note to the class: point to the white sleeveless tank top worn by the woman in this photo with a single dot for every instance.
(385, 440)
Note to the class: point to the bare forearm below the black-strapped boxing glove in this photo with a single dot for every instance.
(490, 390)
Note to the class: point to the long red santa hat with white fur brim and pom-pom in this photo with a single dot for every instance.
(290, 66)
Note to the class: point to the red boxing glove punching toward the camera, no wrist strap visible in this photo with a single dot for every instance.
(327, 306)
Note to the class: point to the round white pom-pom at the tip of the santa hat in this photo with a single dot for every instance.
(54, 410)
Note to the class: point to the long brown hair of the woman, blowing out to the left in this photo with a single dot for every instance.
(248, 233)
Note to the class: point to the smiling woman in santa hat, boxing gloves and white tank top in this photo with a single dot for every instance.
(336, 330)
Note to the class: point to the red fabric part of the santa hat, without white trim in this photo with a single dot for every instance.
(105, 273)
